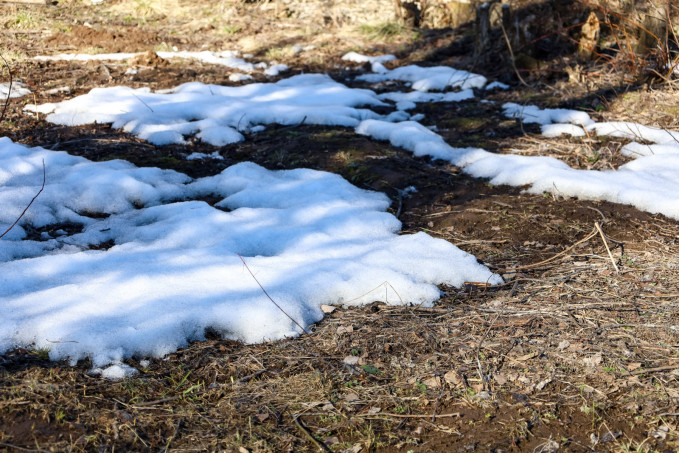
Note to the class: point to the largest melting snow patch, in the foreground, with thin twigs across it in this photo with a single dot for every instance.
(310, 237)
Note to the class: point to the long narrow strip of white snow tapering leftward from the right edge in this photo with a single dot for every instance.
(649, 183)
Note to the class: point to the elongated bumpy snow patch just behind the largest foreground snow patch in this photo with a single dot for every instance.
(216, 114)
